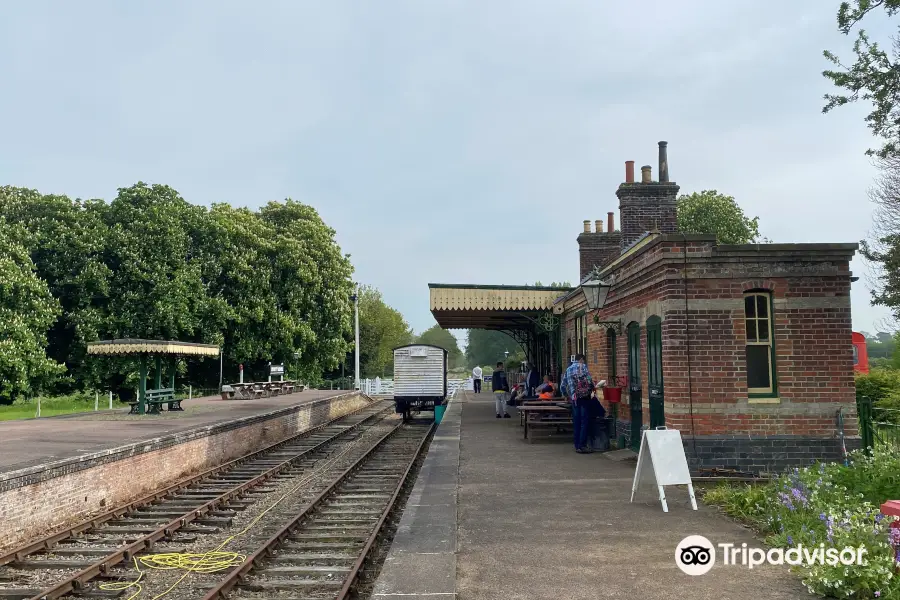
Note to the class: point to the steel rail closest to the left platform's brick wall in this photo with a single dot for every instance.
(48, 542)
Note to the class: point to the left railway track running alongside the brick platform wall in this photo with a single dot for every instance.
(79, 560)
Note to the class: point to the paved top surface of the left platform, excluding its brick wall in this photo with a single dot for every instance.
(32, 442)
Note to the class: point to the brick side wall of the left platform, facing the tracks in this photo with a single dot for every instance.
(47, 498)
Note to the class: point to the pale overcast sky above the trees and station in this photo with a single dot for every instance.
(445, 141)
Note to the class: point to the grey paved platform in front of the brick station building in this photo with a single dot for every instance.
(493, 517)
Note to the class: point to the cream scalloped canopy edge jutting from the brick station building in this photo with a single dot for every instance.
(498, 307)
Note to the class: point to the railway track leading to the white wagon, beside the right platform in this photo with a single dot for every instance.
(320, 553)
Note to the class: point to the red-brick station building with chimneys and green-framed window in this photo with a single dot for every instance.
(746, 349)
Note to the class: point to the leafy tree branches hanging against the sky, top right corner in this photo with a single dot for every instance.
(872, 77)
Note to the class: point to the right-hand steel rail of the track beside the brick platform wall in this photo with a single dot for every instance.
(76, 582)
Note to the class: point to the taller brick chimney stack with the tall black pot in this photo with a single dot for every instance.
(648, 205)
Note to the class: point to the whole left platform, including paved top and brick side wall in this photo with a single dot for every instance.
(58, 471)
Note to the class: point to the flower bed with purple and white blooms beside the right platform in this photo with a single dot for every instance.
(832, 504)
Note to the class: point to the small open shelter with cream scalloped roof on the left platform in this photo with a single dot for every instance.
(157, 349)
